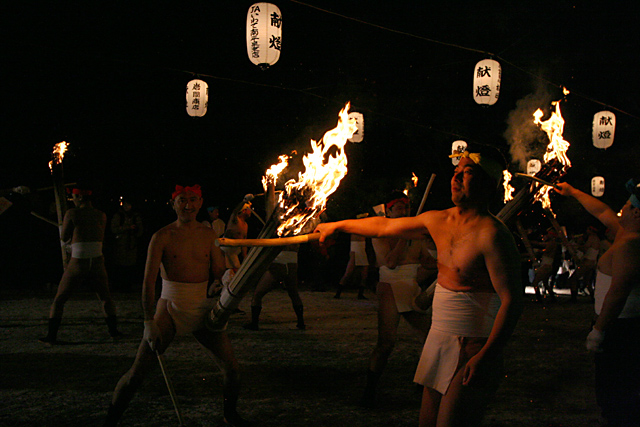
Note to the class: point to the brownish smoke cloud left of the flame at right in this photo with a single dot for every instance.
(525, 140)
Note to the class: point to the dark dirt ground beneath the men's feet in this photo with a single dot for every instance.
(290, 377)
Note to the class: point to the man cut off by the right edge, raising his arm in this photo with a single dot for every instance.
(614, 337)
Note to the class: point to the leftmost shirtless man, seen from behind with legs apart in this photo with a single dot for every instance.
(84, 226)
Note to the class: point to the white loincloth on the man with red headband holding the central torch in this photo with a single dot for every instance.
(187, 304)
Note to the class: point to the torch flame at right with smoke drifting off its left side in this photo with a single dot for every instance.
(557, 148)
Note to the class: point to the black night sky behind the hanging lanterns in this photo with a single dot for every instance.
(110, 80)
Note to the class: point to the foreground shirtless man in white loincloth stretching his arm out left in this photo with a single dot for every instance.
(477, 300)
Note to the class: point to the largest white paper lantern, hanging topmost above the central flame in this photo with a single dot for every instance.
(264, 34)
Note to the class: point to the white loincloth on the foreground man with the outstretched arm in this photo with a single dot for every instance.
(455, 315)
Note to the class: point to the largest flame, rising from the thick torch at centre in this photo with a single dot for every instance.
(304, 199)
